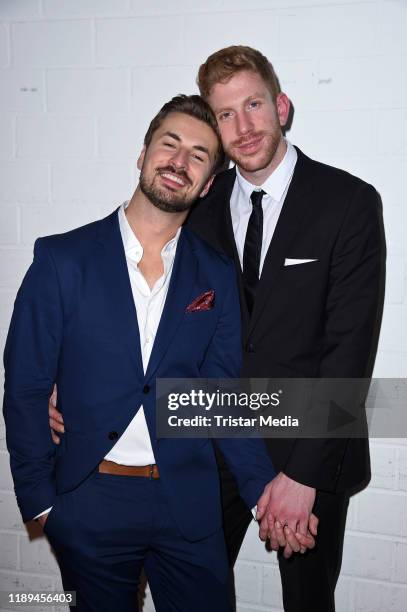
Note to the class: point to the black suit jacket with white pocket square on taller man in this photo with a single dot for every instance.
(316, 319)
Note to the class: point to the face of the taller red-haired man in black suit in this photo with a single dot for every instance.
(250, 123)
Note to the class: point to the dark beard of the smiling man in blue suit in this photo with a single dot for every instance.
(164, 198)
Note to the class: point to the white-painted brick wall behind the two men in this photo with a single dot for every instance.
(81, 79)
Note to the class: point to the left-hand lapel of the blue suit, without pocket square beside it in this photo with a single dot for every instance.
(111, 261)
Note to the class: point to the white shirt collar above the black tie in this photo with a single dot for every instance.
(276, 184)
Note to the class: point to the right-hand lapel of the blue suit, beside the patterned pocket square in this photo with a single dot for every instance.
(178, 297)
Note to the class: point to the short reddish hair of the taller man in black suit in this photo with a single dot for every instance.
(222, 65)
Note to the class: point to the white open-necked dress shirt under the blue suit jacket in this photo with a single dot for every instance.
(134, 446)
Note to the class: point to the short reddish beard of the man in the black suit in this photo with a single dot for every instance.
(260, 159)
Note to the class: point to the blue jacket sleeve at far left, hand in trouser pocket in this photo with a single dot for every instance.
(31, 361)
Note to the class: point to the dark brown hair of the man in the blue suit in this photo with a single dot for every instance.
(196, 107)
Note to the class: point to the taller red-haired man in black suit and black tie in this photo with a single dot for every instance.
(306, 241)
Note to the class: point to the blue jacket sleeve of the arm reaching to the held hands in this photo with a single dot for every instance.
(247, 458)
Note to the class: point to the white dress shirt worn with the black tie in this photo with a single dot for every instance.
(275, 187)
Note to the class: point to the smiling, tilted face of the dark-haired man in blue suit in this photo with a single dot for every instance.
(176, 167)
